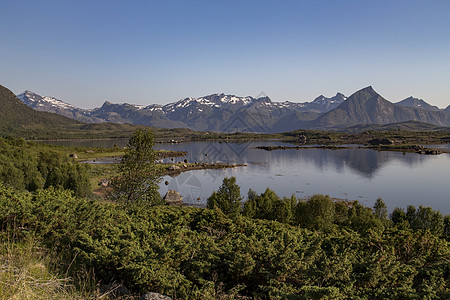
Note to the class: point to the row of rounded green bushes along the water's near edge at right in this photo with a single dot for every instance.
(323, 214)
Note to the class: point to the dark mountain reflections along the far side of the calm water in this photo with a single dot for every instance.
(364, 162)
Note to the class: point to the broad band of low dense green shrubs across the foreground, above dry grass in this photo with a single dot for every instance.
(193, 253)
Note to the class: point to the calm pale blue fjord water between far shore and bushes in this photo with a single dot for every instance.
(400, 179)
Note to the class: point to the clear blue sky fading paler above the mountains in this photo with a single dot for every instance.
(146, 52)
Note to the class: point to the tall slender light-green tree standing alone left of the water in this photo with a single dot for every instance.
(139, 176)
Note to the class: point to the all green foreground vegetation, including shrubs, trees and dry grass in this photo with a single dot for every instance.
(58, 242)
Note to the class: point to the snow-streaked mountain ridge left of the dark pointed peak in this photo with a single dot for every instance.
(216, 112)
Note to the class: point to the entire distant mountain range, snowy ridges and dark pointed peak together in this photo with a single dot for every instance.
(229, 113)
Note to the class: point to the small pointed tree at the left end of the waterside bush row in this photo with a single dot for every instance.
(227, 198)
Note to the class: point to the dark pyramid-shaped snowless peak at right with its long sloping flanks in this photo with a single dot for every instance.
(367, 107)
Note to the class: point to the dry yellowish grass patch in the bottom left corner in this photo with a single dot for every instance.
(30, 271)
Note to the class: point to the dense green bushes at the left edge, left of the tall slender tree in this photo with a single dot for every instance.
(27, 166)
